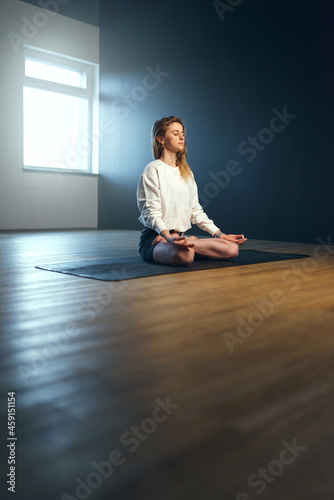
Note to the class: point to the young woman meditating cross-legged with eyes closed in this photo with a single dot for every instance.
(167, 199)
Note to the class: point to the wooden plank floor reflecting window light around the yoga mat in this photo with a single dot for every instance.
(208, 385)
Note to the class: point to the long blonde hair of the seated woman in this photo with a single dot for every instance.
(159, 129)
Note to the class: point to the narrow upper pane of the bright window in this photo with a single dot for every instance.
(52, 73)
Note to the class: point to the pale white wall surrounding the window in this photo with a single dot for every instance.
(30, 199)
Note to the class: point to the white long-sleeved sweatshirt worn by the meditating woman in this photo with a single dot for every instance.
(166, 201)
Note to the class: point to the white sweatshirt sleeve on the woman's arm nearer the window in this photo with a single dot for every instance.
(149, 200)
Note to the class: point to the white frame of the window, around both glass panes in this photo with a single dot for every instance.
(90, 93)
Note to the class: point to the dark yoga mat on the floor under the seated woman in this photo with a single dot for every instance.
(123, 268)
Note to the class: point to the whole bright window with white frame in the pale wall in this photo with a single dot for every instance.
(60, 112)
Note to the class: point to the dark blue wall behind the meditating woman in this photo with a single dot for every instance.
(254, 85)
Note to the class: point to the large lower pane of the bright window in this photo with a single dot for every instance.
(55, 130)
